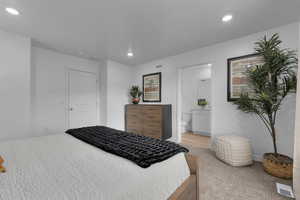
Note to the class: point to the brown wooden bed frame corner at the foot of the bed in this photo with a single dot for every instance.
(189, 190)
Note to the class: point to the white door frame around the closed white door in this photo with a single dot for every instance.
(67, 106)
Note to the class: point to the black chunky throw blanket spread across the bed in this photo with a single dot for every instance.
(142, 150)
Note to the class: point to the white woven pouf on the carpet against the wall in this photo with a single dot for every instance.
(234, 150)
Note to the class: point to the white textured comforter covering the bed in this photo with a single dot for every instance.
(61, 167)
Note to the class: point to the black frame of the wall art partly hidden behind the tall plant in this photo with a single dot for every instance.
(229, 78)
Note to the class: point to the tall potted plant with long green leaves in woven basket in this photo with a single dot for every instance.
(271, 83)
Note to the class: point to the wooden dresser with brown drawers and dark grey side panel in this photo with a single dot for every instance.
(149, 120)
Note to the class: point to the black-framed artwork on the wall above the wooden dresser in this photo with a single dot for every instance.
(152, 87)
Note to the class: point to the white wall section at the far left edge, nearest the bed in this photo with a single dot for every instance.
(14, 86)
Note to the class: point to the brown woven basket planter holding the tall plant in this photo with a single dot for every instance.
(281, 167)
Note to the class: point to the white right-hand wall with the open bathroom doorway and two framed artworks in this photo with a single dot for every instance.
(226, 119)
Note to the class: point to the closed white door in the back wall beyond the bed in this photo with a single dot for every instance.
(83, 99)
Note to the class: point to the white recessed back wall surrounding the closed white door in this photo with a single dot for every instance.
(49, 73)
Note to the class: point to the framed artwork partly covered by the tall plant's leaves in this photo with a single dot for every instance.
(236, 78)
